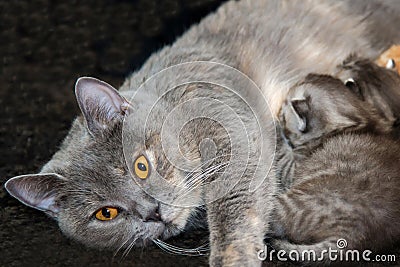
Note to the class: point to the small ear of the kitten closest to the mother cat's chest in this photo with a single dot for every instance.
(298, 114)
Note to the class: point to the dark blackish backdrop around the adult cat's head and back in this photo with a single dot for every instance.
(44, 47)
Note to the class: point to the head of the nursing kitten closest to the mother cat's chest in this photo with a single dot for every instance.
(322, 106)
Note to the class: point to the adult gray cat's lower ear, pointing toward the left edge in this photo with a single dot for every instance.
(38, 191)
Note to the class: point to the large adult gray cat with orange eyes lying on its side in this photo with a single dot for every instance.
(96, 187)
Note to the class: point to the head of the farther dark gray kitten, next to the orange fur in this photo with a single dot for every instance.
(375, 85)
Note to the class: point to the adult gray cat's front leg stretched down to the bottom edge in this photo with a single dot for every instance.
(237, 216)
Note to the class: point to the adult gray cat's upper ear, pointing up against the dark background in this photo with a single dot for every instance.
(100, 103)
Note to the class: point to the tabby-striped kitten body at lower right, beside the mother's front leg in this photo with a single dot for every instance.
(348, 189)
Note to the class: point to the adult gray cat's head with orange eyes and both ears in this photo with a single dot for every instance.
(96, 193)
